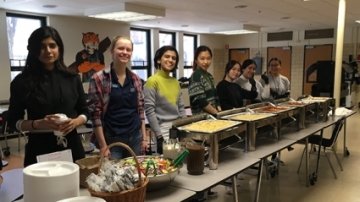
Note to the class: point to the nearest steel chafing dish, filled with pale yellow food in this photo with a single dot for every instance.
(212, 135)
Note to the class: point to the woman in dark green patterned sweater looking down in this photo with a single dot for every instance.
(202, 90)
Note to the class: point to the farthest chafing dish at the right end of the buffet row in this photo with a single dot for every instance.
(324, 105)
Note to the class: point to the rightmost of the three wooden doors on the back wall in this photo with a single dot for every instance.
(312, 54)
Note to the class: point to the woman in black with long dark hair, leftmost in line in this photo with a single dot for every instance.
(44, 89)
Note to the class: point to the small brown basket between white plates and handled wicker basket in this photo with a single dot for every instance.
(87, 166)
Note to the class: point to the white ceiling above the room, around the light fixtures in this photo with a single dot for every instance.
(204, 16)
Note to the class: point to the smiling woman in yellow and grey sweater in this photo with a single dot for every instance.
(163, 102)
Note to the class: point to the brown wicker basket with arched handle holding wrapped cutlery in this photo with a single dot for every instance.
(135, 195)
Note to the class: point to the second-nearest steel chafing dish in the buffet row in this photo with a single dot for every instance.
(255, 121)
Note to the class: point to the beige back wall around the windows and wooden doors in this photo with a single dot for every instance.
(71, 28)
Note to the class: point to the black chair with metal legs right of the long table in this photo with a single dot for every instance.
(327, 144)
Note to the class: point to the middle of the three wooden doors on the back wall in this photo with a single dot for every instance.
(284, 54)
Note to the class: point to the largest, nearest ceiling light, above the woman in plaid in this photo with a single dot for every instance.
(126, 12)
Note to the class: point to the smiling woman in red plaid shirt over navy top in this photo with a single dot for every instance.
(117, 103)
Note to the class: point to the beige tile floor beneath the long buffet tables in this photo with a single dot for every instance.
(288, 186)
